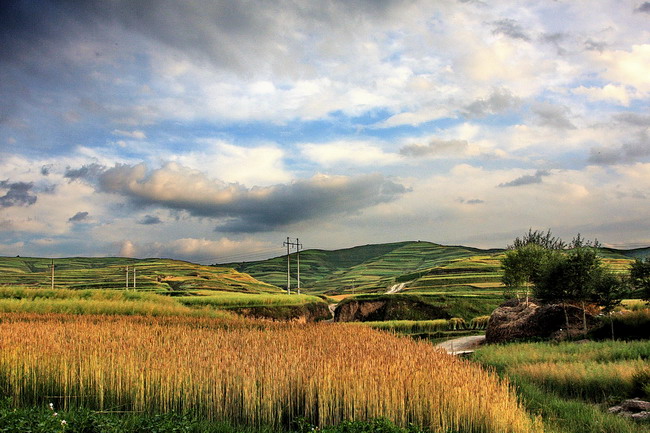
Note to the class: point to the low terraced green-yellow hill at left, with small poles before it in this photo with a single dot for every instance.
(160, 275)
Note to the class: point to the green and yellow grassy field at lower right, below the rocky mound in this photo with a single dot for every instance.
(570, 384)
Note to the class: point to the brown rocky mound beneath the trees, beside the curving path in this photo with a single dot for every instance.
(517, 320)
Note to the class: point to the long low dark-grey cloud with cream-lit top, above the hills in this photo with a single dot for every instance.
(248, 209)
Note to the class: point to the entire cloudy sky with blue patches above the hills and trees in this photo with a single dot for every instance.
(211, 131)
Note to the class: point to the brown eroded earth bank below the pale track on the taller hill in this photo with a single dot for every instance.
(393, 307)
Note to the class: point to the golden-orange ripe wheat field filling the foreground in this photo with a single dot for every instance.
(251, 373)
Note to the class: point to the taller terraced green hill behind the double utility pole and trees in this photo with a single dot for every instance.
(414, 267)
